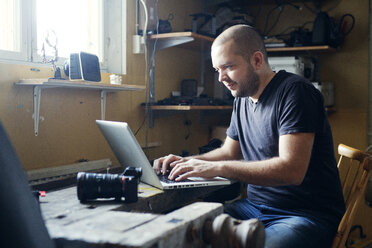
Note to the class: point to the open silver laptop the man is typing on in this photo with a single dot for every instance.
(129, 153)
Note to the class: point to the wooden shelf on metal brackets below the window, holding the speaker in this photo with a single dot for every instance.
(40, 84)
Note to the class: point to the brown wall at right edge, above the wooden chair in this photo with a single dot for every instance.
(348, 69)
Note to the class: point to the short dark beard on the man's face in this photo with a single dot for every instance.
(248, 87)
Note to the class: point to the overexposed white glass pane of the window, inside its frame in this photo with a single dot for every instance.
(76, 28)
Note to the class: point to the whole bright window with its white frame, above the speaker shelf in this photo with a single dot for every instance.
(93, 26)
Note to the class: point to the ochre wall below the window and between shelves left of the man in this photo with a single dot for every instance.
(67, 130)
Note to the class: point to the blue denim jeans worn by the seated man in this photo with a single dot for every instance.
(286, 229)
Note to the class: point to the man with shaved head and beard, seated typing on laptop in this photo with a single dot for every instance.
(279, 142)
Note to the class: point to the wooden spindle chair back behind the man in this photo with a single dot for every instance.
(355, 169)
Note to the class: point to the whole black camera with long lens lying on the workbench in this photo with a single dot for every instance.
(91, 186)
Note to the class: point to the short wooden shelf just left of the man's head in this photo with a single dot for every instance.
(187, 40)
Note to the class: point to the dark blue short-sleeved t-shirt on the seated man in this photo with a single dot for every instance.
(290, 104)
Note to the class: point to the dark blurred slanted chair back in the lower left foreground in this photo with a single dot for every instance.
(21, 222)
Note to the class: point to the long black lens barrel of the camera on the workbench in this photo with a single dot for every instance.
(93, 186)
